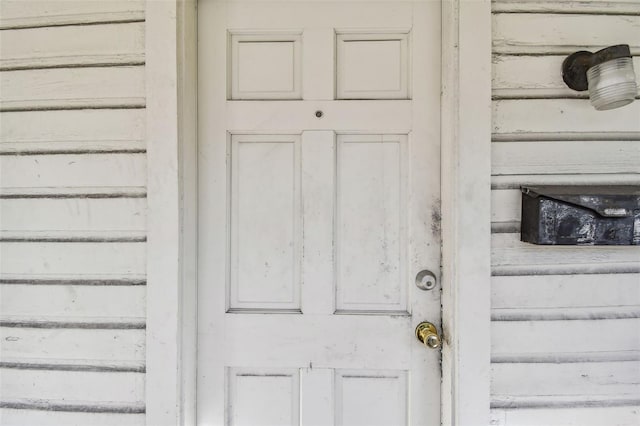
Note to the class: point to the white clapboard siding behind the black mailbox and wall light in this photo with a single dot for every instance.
(565, 320)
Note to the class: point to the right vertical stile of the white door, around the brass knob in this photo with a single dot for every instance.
(424, 207)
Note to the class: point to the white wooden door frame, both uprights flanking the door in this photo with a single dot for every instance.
(171, 140)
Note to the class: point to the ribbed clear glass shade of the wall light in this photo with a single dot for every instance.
(612, 84)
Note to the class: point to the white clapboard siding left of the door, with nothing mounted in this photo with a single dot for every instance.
(72, 213)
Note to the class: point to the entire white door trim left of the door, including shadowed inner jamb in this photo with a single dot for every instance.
(170, 73)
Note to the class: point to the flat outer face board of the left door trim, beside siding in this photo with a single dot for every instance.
(163, 385)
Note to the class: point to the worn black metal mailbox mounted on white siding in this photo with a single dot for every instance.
(585, 215)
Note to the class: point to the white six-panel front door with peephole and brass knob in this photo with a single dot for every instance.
(319, 186)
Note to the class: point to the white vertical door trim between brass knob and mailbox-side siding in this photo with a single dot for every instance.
(466, 210)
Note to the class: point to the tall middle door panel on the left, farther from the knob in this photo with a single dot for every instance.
(265, 234)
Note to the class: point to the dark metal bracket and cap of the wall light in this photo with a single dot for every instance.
(575, 66)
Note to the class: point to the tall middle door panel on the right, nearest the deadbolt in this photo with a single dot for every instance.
(371, 223)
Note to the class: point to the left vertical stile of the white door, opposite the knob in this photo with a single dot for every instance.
(213, 211)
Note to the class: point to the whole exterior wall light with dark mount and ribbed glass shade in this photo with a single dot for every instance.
(607, 74)
